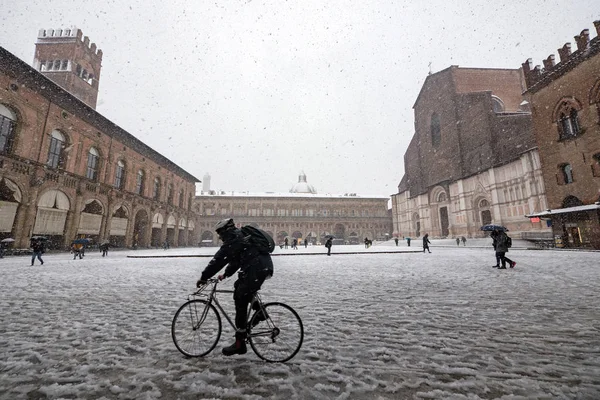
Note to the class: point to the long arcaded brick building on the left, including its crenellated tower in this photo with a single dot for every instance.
(66, 171)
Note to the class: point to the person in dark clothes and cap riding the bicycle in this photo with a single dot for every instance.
(254, 267)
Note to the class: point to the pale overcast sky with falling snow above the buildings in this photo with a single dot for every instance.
(253, 92)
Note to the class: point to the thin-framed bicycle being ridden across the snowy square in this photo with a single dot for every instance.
(274, 331)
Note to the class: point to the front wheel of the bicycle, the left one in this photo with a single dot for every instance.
(196, 328)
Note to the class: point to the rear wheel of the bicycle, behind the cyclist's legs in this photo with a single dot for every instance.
(278, 336)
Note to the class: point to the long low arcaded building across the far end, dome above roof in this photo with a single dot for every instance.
(300, 214)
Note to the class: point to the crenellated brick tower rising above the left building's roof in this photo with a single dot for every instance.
(70, 61)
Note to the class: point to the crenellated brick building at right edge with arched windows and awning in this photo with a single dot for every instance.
(565, 101)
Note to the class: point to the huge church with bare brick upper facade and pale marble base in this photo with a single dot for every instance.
(473, 158)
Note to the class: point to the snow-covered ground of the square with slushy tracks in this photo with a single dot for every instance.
(377, 326)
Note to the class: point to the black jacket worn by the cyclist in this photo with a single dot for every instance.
(238, 254)
